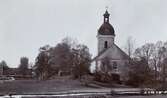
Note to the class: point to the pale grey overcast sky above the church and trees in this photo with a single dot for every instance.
(26, 25)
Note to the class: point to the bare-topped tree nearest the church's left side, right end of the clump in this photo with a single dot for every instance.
(81, 61)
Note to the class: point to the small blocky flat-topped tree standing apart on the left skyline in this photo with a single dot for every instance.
(23, 67)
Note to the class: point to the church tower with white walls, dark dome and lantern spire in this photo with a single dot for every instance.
(106, 34)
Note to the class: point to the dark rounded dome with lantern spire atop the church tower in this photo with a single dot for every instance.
(106, 28)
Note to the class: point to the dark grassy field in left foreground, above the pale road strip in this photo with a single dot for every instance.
(36, 86)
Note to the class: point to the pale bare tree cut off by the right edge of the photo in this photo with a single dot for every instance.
(159, 60)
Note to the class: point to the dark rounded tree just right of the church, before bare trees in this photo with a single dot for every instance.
(139, 73)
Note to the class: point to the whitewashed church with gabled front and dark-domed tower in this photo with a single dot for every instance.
(108, 50)
